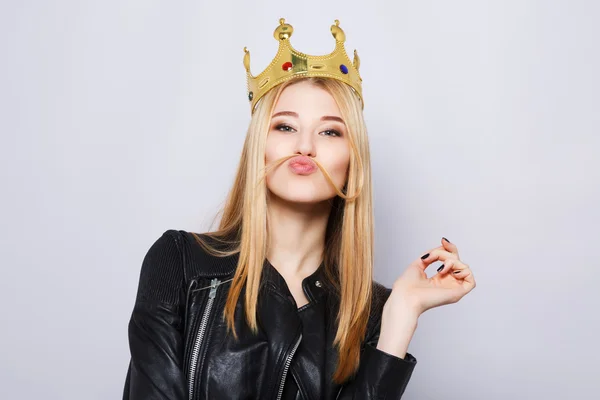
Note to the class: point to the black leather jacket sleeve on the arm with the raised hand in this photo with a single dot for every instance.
(380, 375)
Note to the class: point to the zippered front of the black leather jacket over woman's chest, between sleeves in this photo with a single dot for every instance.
(291, 351)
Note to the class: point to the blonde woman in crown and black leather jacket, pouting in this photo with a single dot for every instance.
(280, 301)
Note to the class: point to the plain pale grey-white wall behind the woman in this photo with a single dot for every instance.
(121, 119)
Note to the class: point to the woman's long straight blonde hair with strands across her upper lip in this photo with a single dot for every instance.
(348, 254)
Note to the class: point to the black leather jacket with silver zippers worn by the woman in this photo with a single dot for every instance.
(180, 350)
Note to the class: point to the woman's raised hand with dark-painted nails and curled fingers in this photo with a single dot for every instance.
(420, 293)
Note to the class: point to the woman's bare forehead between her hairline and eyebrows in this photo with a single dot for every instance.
(307, 99)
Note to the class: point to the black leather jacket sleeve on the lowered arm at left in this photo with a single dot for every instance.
(155, 328)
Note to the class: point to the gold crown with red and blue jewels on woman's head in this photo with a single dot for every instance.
(290, 63)
